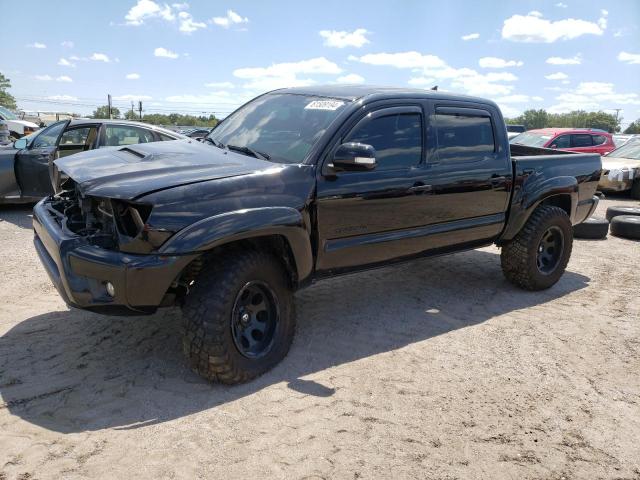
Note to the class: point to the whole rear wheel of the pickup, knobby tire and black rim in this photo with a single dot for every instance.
(536, 258)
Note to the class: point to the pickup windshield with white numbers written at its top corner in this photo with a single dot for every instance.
(282, 127)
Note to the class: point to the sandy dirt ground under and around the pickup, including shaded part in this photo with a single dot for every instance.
(437, 369)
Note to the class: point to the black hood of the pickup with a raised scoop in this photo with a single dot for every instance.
(135, 170)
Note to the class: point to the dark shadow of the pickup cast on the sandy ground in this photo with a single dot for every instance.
(72, 371)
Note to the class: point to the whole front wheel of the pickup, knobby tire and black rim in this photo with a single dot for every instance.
(239, 318)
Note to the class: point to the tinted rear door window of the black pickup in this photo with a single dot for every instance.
(464, 137)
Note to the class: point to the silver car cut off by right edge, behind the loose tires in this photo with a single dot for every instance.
(621, 170)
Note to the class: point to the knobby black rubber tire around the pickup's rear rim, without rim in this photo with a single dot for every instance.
(519, 256)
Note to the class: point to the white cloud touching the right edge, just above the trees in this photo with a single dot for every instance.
(593, 96)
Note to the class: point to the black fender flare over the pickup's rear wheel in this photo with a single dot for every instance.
(532, 195)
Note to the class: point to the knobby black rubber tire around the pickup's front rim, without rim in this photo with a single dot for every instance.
(208, 341)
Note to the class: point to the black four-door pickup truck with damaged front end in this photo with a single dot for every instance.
(297, 185)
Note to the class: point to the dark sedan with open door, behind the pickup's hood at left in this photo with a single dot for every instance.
(25, 164)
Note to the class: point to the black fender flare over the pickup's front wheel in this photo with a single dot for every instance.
(218, 230)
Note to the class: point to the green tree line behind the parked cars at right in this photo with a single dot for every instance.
(532, 119)
